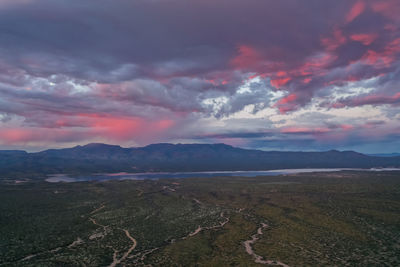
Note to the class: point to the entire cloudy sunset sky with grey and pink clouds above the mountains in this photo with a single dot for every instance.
(306, 75)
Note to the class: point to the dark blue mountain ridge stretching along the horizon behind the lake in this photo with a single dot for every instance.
(97, 157)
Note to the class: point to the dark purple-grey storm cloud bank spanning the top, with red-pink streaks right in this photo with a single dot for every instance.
(121, 40)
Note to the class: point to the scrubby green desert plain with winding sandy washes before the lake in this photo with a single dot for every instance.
(341, 218)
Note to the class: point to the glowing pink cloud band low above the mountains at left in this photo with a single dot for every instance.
(90, 126)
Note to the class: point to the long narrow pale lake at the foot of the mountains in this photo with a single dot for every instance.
(163, 175)
